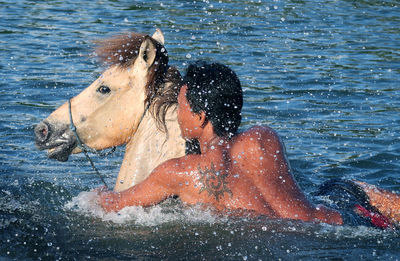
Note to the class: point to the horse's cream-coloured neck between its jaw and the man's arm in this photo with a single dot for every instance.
(148, 148)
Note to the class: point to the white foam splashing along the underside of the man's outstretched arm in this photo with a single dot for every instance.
(86, 203)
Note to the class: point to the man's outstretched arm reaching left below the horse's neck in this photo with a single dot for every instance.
(160, 185)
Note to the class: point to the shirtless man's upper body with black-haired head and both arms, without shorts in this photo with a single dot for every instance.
(234, 172)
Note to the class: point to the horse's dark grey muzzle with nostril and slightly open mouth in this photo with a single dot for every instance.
(57, 139)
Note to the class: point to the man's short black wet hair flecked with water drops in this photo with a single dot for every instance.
(215, 89)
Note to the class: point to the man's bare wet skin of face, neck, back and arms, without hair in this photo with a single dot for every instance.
(248, 172)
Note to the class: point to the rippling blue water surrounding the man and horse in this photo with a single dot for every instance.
(324, 74)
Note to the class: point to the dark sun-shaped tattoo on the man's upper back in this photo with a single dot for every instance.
(213, 182)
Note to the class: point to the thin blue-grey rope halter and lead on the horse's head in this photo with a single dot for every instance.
(86, 149)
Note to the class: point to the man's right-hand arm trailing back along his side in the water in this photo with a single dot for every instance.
(272, 176)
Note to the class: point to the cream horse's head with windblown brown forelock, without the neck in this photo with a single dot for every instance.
(108, 112)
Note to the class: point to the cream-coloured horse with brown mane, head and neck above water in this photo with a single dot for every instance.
(133, 102)
